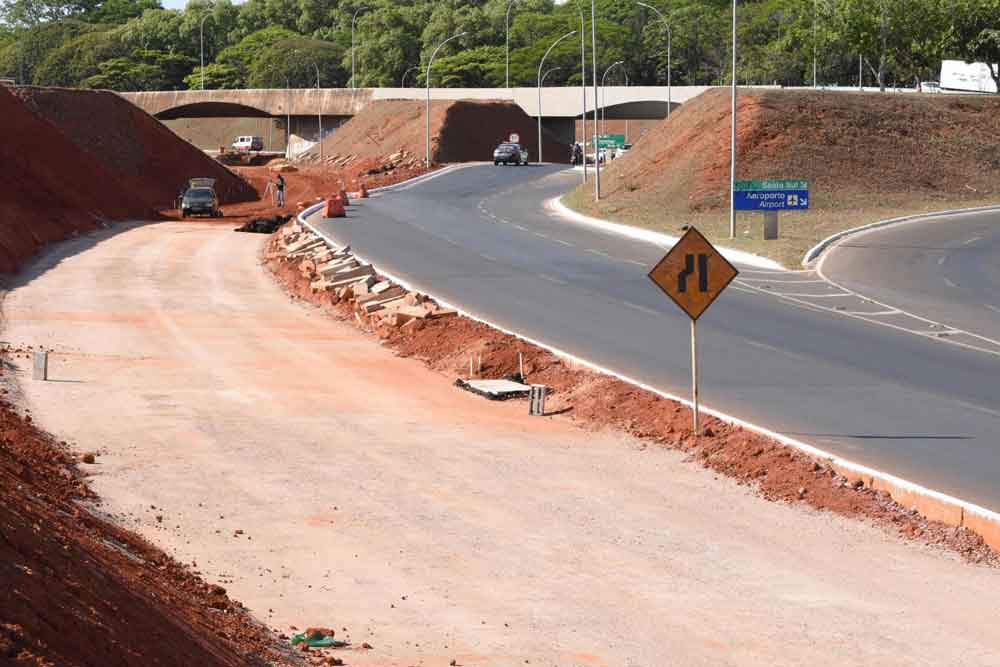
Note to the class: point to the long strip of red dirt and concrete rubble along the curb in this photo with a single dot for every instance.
(333, 280)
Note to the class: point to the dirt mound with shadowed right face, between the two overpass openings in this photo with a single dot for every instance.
(461, 131)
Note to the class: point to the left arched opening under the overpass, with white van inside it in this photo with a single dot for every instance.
(214, 125)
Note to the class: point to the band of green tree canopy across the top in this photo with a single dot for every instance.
(136, 44)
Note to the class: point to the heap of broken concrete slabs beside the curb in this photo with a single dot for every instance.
(378, 303)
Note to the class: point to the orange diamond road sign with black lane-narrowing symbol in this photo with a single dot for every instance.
(693, 273)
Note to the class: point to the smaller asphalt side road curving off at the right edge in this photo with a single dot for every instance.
(942, 268)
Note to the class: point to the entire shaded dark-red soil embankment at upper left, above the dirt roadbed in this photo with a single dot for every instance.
(76, 159)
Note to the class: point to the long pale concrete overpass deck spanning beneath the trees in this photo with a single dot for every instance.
(557, 102)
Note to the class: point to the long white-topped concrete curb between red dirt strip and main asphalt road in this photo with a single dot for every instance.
(932, 504)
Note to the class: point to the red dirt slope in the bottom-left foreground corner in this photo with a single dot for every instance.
(79, 590)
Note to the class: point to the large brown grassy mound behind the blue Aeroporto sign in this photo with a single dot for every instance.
(852, 147)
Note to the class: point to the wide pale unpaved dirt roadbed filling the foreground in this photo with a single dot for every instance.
(323, 481)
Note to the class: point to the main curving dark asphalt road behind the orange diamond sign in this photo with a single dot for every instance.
(906, 404)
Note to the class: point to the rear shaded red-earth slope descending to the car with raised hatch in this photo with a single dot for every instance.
(146, 159)
